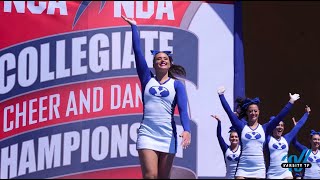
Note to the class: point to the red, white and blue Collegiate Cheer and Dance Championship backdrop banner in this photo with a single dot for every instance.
(70, 97)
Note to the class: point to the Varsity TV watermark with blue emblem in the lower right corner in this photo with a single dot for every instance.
(297, 164)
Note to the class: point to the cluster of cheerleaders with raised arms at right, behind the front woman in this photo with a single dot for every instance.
(245, 157)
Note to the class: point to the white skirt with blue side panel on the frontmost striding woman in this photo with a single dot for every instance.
(158, 135)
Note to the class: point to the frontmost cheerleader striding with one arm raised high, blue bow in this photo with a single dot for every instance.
(162, 92)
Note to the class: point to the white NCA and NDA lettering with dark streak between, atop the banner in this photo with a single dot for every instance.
(138, 9)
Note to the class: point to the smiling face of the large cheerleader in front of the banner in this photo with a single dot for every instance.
(161, 62)
